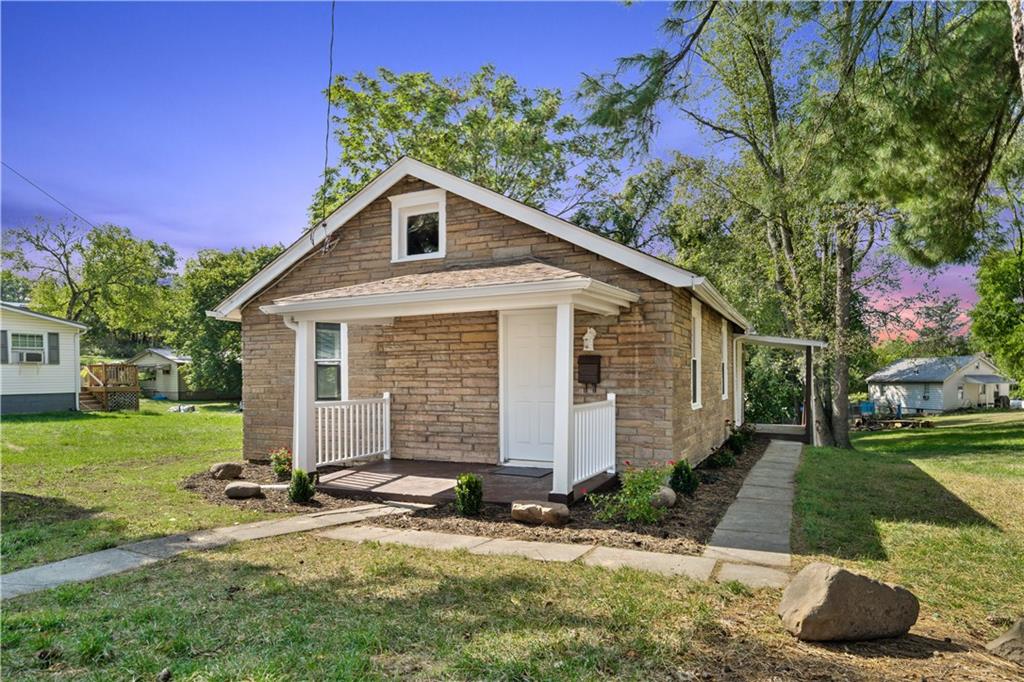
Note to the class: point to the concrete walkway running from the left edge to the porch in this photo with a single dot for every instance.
(127, 558)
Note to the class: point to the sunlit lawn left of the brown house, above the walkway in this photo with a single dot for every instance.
(81, 483)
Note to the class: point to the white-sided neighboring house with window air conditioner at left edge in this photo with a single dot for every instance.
(39, 362)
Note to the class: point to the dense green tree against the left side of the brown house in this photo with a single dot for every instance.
(215, 346)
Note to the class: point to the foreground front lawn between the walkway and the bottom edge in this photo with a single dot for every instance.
(307, 608)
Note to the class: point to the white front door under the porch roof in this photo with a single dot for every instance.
(529, 381)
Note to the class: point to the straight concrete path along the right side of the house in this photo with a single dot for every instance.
(753, 538)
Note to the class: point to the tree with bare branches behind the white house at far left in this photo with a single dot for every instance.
(104, 277)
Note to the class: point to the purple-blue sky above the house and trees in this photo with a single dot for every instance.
(202, 124)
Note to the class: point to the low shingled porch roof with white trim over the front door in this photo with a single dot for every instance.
(509, 286)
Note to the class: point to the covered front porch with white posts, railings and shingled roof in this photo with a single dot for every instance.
(477, 367)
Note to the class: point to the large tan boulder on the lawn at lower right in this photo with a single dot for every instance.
(826, 604)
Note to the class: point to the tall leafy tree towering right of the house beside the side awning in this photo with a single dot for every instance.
(810, 105)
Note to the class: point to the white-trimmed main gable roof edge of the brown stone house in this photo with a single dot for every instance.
(660, 270)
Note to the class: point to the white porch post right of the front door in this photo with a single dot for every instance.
(563, 465)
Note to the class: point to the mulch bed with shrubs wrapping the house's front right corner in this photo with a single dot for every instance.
(686, 531)
